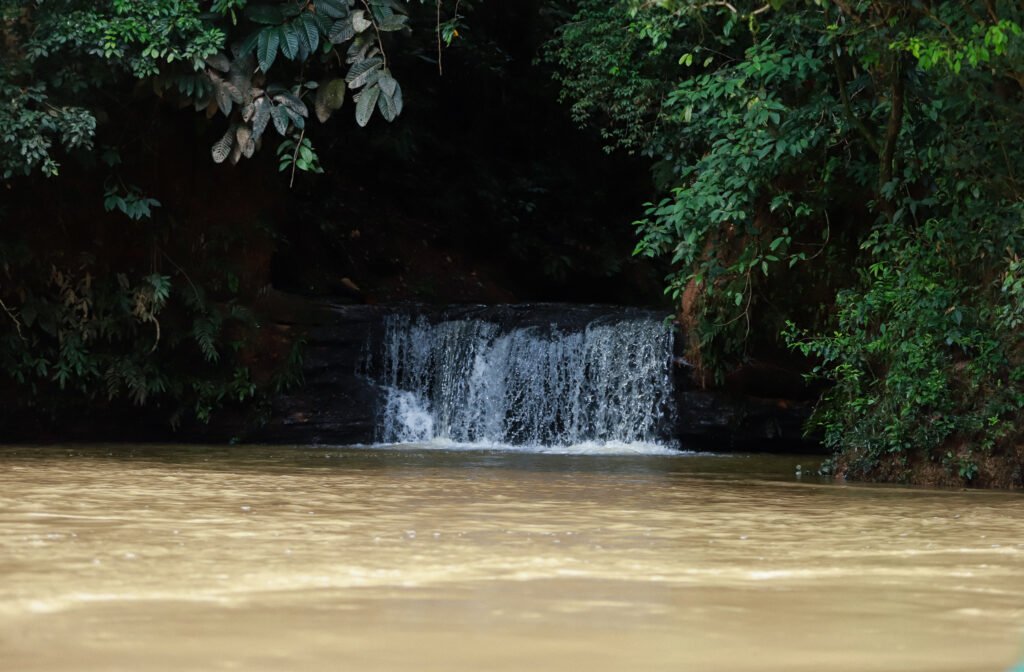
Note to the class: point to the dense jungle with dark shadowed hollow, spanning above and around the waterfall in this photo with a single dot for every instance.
(840, 180)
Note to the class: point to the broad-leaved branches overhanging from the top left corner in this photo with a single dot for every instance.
(255, 63)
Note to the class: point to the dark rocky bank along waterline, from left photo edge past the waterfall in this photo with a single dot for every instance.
(340, 405)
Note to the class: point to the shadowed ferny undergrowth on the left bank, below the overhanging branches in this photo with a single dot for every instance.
(77, 330)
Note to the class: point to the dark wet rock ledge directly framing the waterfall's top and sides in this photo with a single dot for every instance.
(339, 405)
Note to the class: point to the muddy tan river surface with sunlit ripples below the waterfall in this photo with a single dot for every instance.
(180, 559)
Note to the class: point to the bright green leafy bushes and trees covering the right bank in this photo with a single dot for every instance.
(867, 149)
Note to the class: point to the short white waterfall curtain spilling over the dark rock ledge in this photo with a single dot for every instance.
(480, 383)
